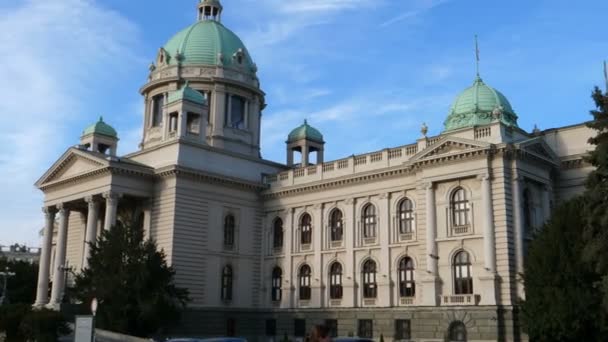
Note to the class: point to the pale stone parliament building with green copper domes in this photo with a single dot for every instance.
(420, 242)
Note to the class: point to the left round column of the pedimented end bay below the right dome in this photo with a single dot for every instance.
(431, 282)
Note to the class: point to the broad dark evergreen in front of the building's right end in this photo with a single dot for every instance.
(561, 304)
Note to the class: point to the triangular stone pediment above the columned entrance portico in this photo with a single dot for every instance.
(72, 163)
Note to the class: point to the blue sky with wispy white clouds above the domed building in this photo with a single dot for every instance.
(368, 70)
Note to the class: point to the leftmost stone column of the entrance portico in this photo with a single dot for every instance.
(42, 293)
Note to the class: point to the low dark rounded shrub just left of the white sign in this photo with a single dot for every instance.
(44, 326)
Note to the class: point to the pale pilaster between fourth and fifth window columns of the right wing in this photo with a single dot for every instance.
(384, 283)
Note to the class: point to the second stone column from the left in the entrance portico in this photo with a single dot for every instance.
(60, 251)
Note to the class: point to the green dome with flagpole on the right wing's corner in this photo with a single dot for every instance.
(479, 105)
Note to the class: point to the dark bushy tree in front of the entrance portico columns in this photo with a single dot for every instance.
(132, 282)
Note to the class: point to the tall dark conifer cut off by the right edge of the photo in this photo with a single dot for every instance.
(596, 196)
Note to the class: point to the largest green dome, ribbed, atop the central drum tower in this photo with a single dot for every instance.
(204, 42)
